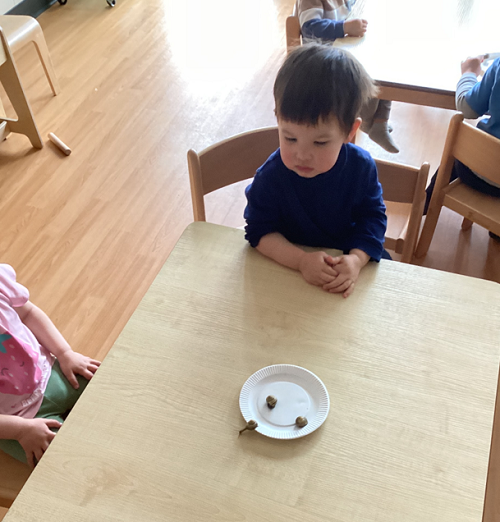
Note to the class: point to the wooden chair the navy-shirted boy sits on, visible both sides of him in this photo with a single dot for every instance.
(237, 158)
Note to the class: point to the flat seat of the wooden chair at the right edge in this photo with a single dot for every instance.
(480, 208)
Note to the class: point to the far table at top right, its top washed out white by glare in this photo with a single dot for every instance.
(414, 49)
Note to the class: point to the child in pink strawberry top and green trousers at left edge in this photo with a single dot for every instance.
(36, 390)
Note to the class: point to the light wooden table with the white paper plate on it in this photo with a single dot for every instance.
(410, 361)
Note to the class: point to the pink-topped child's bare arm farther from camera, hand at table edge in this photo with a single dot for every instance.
(72, 363)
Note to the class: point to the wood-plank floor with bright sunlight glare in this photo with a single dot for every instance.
(141, 84)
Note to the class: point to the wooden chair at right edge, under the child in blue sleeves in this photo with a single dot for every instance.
(481, 153)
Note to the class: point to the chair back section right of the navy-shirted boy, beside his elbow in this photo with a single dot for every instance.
(403, 184)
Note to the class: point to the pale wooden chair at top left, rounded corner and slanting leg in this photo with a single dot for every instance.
(22, 30)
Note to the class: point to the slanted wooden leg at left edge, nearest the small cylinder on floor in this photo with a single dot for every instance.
(25, 123)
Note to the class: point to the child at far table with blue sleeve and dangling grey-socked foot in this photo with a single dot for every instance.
(325, 20)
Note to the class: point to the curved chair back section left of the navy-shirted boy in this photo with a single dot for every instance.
(227, 162)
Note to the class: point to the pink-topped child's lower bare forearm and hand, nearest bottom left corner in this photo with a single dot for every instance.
(34, 435)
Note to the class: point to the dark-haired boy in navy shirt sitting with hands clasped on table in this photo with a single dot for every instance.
(318, 189)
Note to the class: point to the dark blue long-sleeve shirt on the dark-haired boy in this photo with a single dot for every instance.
(342, 208)
